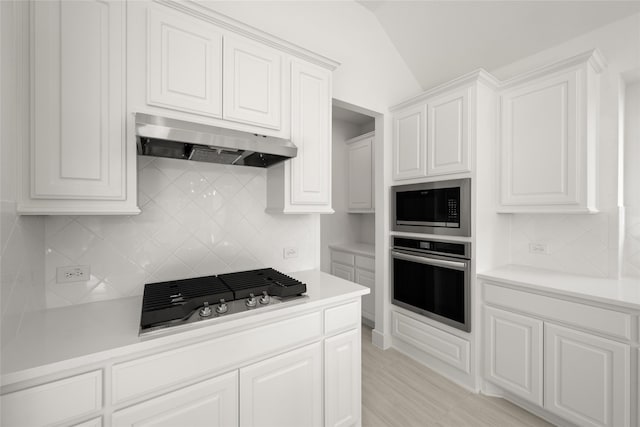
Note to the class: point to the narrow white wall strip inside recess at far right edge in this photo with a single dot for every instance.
(631, 251)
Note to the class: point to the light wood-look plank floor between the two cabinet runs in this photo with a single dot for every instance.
(398, 391)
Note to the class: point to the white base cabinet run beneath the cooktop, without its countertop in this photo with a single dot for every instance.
(299, 370)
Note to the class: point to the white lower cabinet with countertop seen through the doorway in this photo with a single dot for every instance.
(356, 262)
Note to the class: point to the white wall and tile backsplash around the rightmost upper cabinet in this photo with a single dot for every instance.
(583, 244)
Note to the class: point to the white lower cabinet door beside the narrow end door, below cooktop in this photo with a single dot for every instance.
(284, 391)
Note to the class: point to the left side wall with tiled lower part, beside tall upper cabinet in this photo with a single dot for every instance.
(21, 238)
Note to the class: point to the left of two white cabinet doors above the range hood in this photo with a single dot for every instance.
(184, 63)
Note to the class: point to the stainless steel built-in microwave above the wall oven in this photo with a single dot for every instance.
(440, 207)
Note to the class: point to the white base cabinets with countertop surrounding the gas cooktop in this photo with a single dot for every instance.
(295, 365)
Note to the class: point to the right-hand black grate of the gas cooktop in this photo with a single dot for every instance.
(265, 279)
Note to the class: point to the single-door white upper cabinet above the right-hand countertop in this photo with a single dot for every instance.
(548, 137)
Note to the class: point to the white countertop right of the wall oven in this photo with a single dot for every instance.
(622, 292)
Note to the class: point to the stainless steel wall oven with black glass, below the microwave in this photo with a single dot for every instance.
(432, 278)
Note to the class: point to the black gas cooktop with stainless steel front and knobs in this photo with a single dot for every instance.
(178, 302)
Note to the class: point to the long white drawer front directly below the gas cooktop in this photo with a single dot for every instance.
(171, 368)
